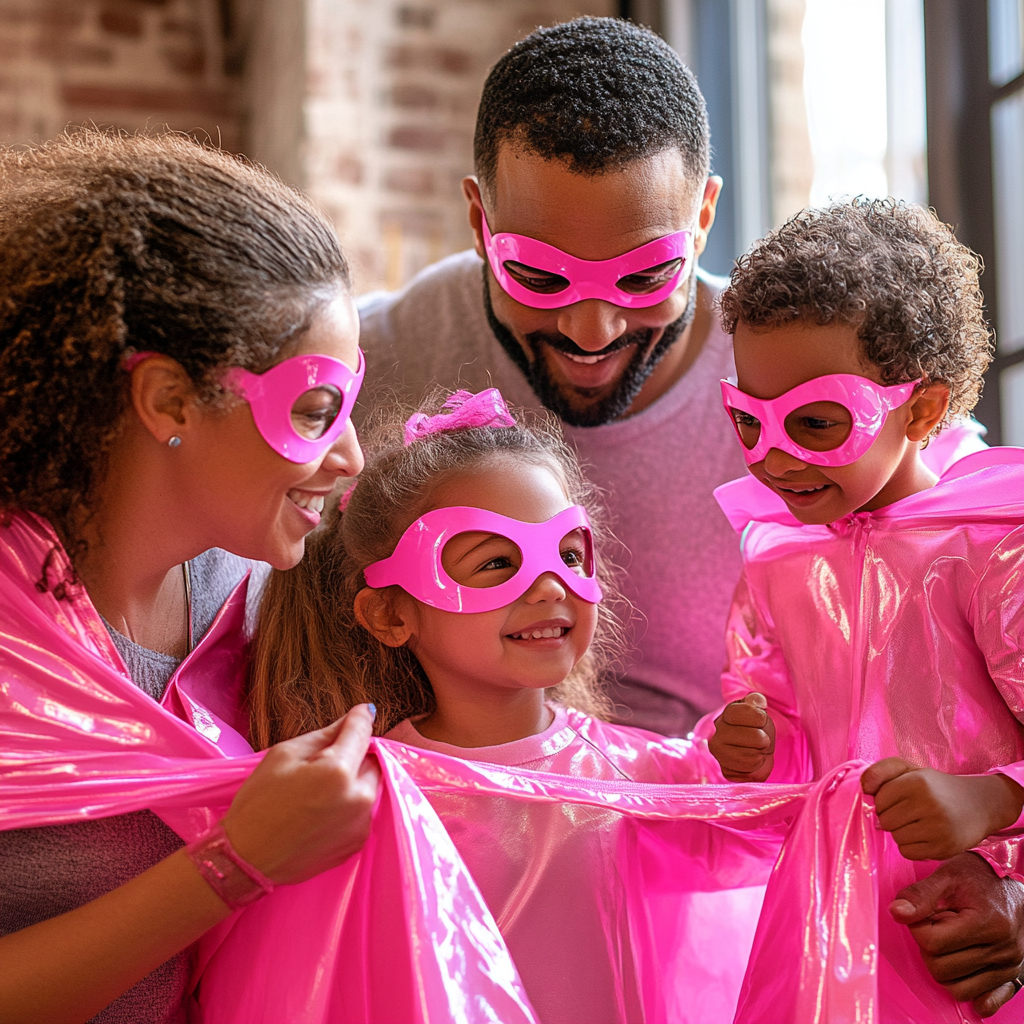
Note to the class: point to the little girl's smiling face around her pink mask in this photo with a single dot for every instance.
(536, 642)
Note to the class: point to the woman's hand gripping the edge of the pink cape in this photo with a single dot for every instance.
(307, 807)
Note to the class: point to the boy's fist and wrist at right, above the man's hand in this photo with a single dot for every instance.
(934, 817)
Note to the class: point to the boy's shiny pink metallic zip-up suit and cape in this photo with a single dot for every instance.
(899, 632)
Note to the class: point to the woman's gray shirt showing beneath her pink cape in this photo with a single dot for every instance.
(53, 870)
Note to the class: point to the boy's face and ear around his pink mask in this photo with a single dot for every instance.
(770, 363)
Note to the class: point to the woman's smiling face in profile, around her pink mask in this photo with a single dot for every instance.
(259, 504)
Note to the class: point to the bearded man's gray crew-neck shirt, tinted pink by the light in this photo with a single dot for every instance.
(658, 468)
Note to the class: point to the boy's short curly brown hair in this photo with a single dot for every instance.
(889, 269)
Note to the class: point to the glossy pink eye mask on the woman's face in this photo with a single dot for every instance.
(273, 397)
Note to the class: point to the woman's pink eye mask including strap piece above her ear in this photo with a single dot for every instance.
(302, 406)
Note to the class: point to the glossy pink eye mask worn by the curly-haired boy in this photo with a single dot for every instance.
(869, 405)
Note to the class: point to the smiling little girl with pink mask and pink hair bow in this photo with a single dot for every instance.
(462, 591)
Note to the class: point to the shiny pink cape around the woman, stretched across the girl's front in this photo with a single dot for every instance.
(400, 932)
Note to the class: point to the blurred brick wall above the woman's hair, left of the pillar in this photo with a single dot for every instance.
(123, 63)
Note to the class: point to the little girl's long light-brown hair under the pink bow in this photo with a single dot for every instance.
(313, 661)
